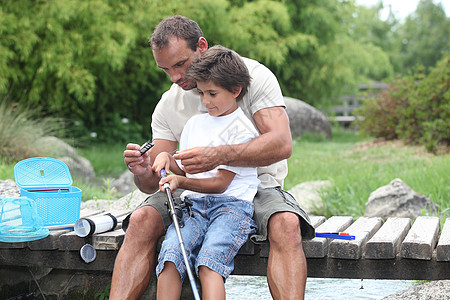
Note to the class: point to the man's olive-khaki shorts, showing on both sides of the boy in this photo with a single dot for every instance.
(267, 202)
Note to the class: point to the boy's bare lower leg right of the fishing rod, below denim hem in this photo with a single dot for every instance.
(213, 286)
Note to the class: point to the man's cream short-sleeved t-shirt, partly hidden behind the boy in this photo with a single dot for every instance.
(177, 106)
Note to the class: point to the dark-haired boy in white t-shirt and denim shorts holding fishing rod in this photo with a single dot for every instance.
(222, 198)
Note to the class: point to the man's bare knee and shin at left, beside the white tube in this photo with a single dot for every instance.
(135, 262)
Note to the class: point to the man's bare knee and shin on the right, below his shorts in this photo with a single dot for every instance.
(286, 267)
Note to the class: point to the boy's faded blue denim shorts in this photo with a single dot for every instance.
(212, 236)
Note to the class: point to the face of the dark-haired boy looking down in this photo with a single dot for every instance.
(218, 101)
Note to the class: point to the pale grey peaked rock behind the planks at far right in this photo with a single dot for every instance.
(397, 199)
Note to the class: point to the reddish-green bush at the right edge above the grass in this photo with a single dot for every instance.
(415, 108)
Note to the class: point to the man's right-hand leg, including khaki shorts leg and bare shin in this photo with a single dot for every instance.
(283, 222)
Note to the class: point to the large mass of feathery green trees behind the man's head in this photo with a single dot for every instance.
(89, 62)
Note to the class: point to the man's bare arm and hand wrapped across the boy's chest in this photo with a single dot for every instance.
(274, 144)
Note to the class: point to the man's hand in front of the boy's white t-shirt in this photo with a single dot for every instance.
(199, 159)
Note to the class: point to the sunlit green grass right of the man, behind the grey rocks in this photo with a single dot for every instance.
(358, 167)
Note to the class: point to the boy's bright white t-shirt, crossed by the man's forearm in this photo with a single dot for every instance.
(207, 131)
